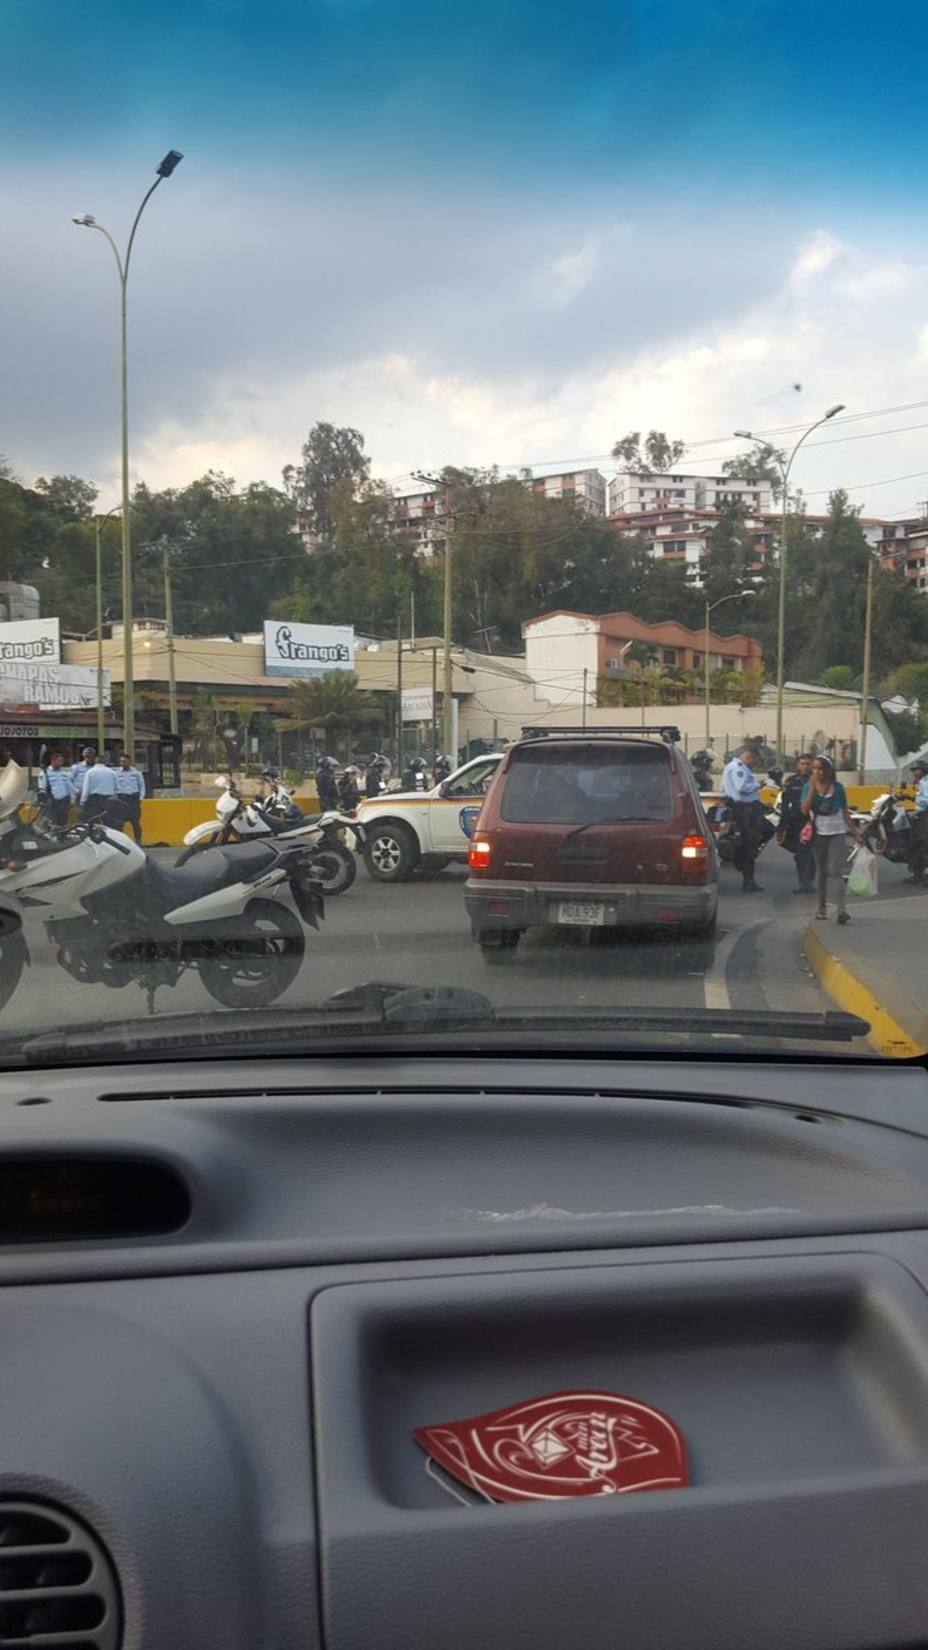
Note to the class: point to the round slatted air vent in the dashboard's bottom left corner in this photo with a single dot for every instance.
(57, 1583)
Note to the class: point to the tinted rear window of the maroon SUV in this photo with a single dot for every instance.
(580, 786)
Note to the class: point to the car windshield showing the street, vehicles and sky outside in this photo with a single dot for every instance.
(491, 440)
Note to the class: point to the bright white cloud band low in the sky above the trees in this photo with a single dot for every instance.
(836, 337)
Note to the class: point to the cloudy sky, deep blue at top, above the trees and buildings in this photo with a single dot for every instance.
(488, 233)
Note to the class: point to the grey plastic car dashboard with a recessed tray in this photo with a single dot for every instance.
(232, 1293)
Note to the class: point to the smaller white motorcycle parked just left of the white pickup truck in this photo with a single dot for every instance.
(244, 819)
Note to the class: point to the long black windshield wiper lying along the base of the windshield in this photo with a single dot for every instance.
(384, 1011)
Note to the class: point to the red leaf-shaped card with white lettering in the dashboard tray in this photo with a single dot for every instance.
(561, 1446)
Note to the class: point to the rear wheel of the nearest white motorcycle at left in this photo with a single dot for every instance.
(258, 961)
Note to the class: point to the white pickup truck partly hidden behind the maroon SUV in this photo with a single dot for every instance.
(409, 829)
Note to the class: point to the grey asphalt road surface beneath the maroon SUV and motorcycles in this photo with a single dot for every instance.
(419, 933)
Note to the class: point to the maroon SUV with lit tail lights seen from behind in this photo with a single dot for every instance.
(592, 831)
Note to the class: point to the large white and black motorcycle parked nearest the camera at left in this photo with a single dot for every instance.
(118, 917)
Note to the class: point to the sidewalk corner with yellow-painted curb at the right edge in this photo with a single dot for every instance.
(878, 968)
